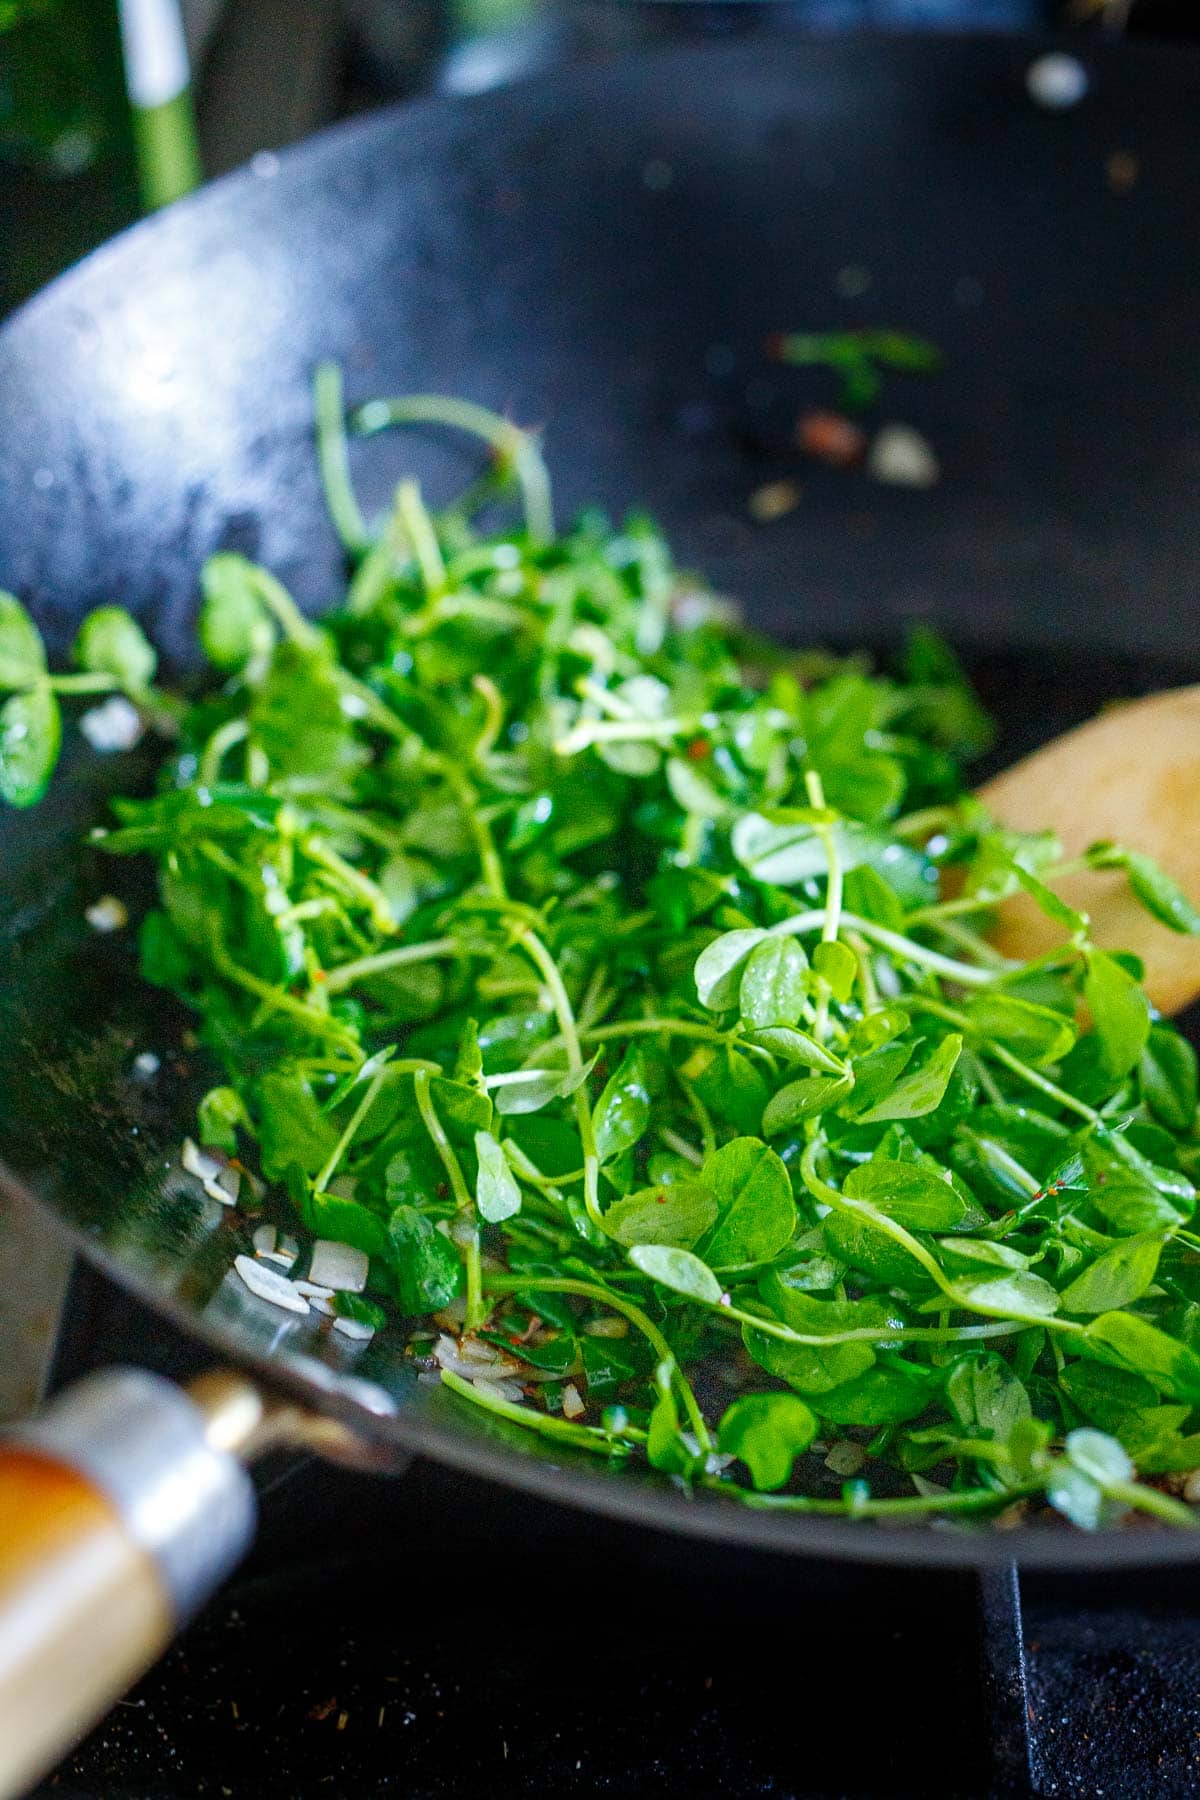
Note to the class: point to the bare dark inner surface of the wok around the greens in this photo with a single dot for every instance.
(604, 253)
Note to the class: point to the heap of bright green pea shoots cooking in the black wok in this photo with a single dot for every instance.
(620, 985)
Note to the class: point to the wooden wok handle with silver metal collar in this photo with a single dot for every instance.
(121, 1509)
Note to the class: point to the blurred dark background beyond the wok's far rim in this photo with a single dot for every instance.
(269, 73)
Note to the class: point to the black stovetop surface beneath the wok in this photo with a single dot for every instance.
(434, 1637)
